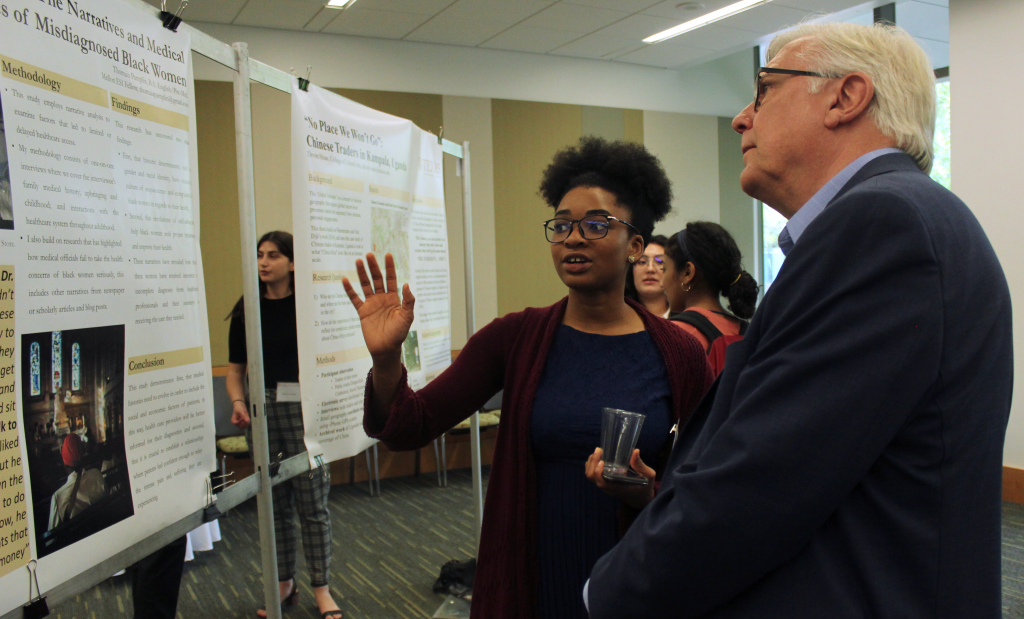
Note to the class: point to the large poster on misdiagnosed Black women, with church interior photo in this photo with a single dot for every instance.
(106, 426)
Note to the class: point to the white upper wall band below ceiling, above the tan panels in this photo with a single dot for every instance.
(721, 88)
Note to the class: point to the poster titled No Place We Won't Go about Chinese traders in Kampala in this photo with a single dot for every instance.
(362, 182)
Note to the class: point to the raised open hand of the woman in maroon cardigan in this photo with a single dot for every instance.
(386, 319)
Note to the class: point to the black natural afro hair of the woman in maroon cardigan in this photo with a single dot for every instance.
(625, 170)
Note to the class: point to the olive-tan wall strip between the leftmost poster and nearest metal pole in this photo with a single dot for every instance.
(219, 185)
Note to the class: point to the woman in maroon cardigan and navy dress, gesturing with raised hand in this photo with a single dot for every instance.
(544, 523)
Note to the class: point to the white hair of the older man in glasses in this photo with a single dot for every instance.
(904, 108)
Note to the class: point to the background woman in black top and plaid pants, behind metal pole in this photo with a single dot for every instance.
(285, 431)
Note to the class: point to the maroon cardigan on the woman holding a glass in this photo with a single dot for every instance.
(510, 353)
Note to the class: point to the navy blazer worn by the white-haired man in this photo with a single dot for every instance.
(848, 462)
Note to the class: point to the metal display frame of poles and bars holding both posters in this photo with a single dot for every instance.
(261, 485)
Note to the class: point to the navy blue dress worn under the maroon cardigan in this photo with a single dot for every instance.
(577, 522)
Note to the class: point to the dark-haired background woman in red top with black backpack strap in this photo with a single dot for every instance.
(704, 265)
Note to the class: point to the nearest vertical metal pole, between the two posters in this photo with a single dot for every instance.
(254, 339)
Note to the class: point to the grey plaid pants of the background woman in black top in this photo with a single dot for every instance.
(285, 432)
